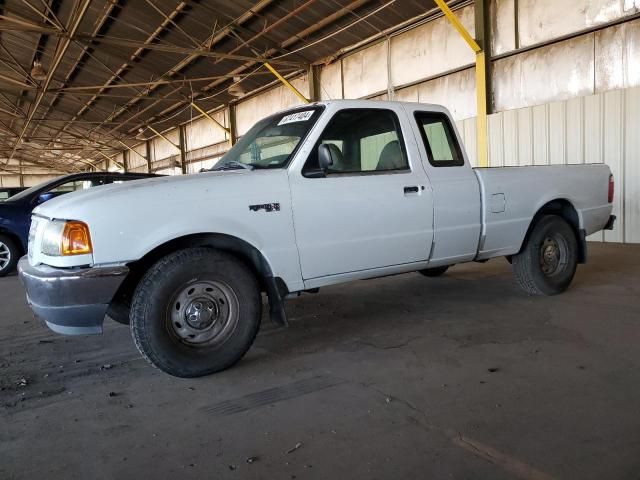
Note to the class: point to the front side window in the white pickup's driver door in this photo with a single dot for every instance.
(363, 141)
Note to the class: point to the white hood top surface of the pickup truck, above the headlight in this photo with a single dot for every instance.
(142, 194)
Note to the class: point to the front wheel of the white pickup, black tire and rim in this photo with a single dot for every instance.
(165, 306)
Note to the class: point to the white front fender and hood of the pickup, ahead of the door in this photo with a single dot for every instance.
(127, 221)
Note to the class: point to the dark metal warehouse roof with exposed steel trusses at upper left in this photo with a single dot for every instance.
(113, 66)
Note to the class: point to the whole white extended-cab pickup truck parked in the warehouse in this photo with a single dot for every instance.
(313, 196)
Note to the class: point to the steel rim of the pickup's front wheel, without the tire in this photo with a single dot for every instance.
(203, 314)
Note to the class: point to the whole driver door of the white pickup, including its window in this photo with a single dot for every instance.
(372, 208)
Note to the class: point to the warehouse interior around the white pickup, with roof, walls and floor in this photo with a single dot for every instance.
(462, 376)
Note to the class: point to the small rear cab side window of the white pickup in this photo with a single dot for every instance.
(439, 141)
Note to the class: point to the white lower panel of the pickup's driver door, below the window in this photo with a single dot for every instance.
(352, 223)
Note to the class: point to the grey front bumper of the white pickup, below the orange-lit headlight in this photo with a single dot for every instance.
(71, 301)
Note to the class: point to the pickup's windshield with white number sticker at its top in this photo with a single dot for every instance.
(271, 142)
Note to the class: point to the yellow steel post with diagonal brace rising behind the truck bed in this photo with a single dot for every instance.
(481, 85)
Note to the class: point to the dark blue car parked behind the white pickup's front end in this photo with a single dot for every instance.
(15, 212)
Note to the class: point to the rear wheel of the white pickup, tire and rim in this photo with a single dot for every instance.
(547, 263)
